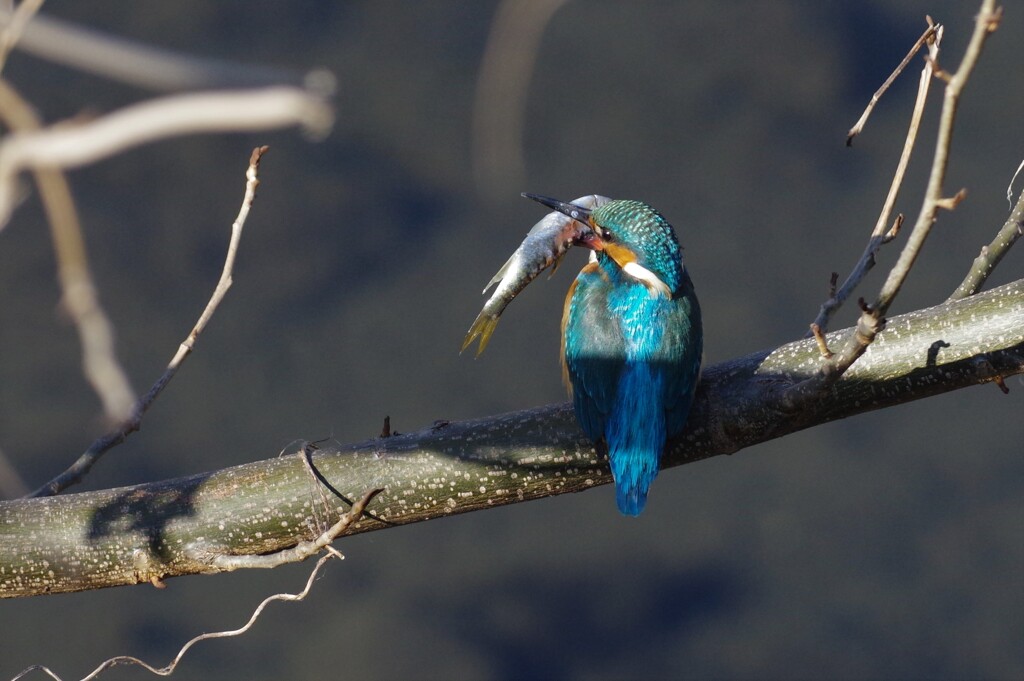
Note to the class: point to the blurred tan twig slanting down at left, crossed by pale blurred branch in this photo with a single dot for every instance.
(80, 301)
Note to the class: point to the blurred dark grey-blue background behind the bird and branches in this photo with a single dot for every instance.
(890, 545)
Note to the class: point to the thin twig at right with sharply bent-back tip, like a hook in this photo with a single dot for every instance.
(880, 236)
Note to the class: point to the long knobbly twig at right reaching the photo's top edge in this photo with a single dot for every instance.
(873, 318)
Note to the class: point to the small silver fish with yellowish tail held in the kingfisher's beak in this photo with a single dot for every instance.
(544, 246)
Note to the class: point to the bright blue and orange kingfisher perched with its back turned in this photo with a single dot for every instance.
(632, 340)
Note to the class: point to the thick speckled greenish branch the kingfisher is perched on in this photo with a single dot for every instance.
(182, 527)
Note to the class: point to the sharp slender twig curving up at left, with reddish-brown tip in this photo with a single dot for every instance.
(80, 469)
